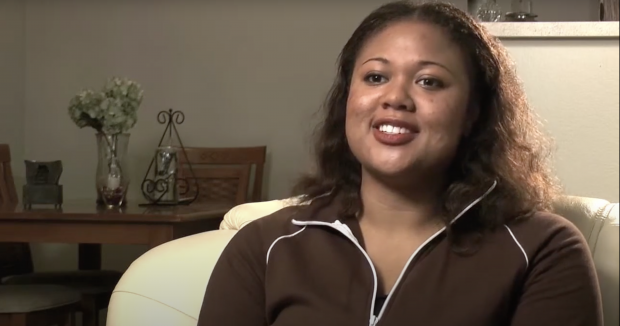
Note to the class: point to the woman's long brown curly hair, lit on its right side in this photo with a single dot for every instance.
(505, 143)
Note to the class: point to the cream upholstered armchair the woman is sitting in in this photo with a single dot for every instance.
(165, 286)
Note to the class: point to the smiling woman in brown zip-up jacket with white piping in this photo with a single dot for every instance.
(430, 203)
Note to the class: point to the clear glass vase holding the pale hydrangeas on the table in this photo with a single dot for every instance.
(112, 173)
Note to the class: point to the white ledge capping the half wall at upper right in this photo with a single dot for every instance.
(554, 29)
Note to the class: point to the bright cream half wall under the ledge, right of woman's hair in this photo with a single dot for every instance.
(573, 84)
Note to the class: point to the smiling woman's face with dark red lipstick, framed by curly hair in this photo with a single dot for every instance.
(408, 102)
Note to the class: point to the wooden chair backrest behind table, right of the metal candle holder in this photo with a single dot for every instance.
(224, 174)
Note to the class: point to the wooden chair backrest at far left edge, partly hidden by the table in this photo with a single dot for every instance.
(15, 258)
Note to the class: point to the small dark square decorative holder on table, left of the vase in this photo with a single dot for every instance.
(42, 186)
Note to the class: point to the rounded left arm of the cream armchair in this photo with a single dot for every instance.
(166, 285)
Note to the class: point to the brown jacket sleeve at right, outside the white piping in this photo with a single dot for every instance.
(560, 276)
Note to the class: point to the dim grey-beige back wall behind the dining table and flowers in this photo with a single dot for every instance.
(244, 74)
